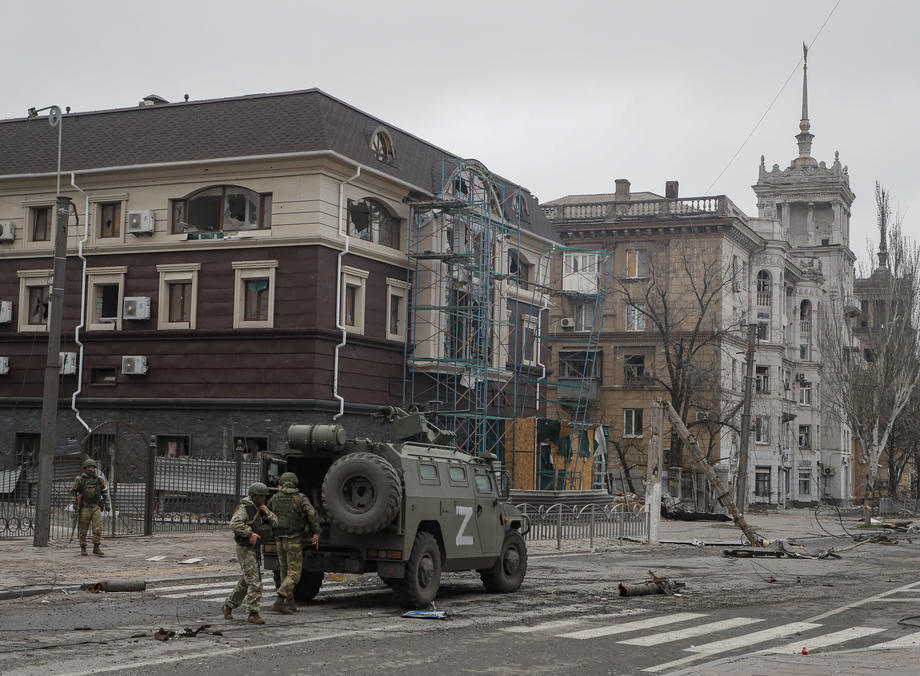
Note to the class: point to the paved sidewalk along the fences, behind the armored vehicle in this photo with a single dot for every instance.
(24, 567)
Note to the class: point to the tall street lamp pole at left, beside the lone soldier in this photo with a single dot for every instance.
(42, 528)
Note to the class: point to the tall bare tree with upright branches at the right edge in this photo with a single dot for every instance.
(869, 388)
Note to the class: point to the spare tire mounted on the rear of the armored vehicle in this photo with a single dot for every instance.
(362, 493)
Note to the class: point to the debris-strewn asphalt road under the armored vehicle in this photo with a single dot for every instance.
(567, 618)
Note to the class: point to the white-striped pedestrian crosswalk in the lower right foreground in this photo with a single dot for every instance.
(726, 635)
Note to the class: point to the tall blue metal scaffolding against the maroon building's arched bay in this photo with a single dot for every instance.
(476, 308)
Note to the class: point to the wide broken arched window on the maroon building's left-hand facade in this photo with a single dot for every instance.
(221, 208)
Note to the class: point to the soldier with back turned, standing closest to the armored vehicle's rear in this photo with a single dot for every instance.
(296, 518)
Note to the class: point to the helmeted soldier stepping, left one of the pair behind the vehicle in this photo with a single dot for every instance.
(251, 519)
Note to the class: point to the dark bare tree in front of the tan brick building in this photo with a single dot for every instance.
(681, 300)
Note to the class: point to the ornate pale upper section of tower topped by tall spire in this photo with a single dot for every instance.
(810, 200)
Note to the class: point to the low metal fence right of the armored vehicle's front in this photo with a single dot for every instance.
(570, 522)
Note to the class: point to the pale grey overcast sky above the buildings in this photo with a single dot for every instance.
(561, 97)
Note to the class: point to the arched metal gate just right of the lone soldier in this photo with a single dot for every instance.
(122, 453)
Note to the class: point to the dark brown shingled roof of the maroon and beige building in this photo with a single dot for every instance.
(260, 124)
